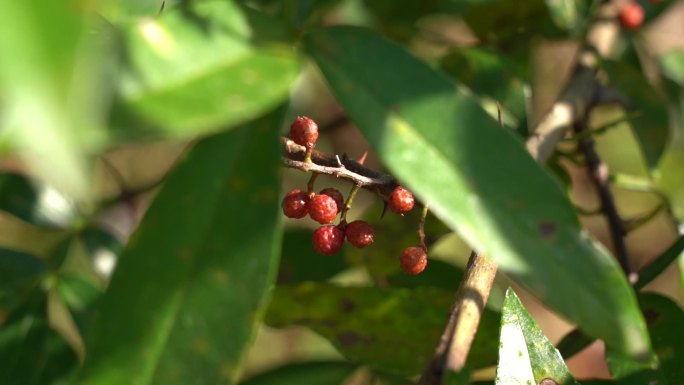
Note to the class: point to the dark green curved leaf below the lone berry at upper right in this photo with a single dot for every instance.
(651, 127)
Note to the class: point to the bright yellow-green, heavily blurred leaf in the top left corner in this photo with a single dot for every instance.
(50, 91)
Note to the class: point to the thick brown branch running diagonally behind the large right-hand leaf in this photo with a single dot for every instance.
(573, 105)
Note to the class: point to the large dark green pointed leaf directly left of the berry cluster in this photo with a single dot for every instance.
(190, 288)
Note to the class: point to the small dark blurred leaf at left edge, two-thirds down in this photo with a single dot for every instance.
(19, 275)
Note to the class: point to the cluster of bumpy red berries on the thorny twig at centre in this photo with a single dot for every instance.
(329, 202)
